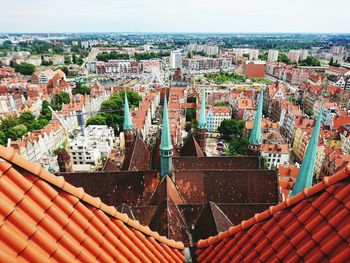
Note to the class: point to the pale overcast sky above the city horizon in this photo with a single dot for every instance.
(175, 16)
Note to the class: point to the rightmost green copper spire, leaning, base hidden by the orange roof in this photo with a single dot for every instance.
(306, 171)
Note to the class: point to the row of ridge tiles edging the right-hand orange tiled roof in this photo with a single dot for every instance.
(258, 217)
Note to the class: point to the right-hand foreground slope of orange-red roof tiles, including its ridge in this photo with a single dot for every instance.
(311, 226)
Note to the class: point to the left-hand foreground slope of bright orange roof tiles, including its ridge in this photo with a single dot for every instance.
(43, 218)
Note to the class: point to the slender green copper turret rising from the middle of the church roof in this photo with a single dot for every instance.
(166, 146)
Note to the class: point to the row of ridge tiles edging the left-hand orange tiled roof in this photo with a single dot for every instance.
(9, 154)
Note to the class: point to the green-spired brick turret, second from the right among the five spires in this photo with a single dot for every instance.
(255, 138)
